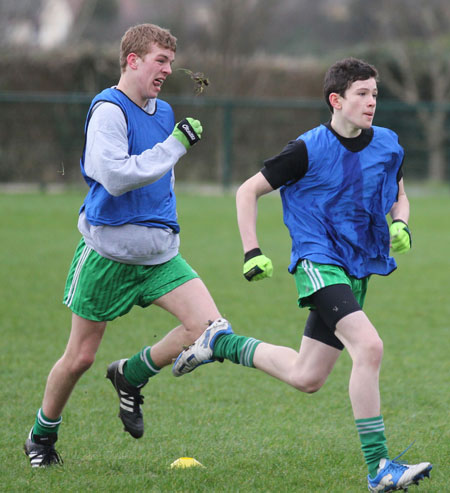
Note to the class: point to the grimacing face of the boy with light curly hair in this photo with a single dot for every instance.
(153, 69)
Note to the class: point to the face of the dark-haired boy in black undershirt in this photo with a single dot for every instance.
(359, 103)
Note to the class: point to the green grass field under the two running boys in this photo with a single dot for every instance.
(252, 433)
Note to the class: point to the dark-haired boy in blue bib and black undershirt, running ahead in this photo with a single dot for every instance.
(337, 184)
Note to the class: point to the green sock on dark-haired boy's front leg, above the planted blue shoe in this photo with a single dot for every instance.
(373, 442)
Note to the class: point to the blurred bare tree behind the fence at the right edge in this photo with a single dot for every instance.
(412, 51)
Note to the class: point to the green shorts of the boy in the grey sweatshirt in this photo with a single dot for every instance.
(100, 289)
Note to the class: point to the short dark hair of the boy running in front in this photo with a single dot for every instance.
(341, 75)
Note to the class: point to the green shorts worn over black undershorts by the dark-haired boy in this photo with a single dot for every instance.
(311, 276)
